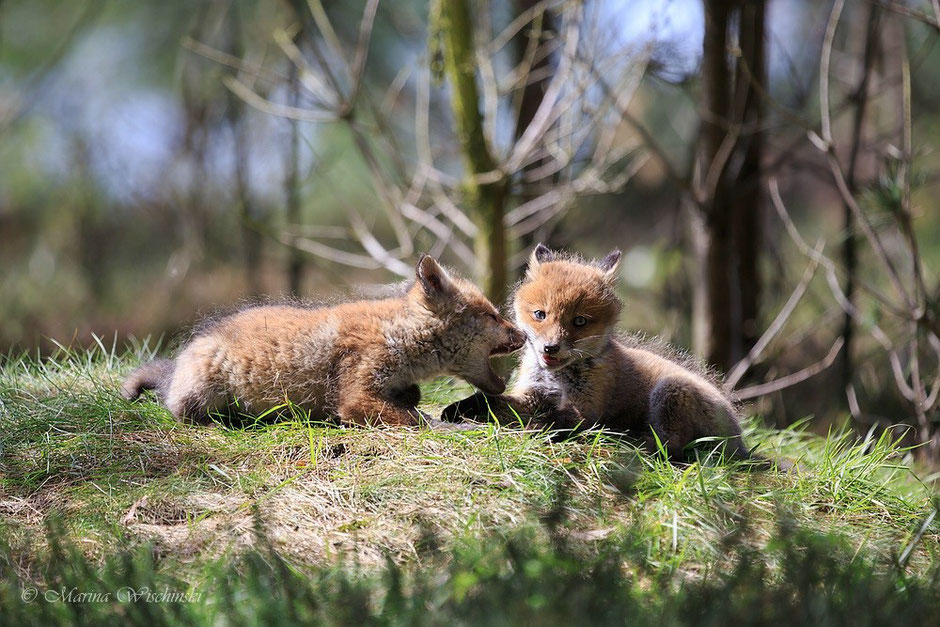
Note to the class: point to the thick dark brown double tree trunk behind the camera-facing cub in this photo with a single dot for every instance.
(728, 235)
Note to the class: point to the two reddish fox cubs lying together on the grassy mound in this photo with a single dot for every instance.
(362, 361)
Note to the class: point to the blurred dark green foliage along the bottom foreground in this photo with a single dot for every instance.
(497, 581)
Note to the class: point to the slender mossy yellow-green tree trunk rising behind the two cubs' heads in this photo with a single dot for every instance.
(487, 200)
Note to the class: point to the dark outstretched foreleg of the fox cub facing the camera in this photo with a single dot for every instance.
(535, 410)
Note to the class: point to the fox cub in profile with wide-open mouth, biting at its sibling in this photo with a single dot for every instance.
(358, 361)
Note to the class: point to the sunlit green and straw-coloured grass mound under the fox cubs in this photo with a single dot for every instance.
(95, 488)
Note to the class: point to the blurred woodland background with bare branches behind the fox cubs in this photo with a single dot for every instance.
(765, 166)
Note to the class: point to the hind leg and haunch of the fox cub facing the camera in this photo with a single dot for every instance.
(680, 413)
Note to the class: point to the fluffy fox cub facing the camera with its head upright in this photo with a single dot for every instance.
(576, 373)
